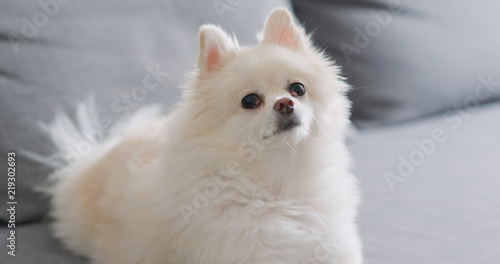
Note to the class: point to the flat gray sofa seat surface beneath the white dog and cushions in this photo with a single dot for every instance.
(445, 212)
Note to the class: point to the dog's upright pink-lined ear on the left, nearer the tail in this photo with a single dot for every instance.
(216, 46)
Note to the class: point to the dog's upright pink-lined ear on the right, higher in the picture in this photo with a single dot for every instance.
(280, 29)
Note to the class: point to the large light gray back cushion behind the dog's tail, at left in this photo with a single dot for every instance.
(54, 54)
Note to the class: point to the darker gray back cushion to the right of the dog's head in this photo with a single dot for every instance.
(421, 58)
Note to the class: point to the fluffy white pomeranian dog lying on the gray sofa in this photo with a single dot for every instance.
(251, 166)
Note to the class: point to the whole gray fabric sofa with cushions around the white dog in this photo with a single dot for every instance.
(426, 105)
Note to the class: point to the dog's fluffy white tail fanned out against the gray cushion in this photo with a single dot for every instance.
(84, 140)
